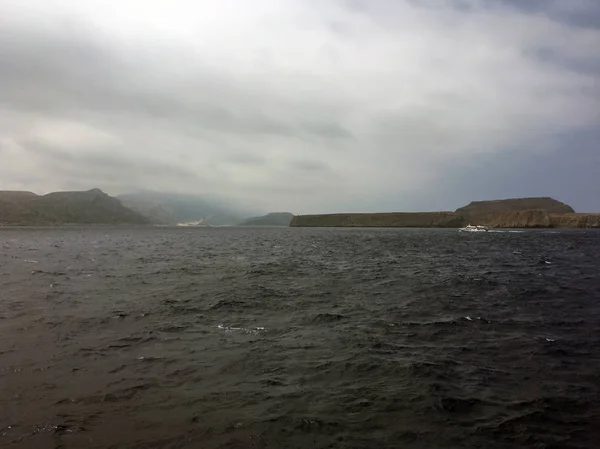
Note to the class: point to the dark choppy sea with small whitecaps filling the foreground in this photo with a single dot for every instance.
(299, 338)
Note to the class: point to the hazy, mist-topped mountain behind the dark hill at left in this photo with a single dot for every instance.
(173, 208)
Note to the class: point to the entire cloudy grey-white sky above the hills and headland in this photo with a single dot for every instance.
(306, 106)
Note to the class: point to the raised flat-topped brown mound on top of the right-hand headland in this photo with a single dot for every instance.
(546, 204)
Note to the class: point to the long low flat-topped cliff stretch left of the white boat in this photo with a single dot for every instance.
(400, 219)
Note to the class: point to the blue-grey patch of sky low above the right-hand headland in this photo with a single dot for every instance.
(567, 172)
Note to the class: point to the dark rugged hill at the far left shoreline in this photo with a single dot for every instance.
(88, 207)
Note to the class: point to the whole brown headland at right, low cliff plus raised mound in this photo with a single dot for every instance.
(542, 212)
